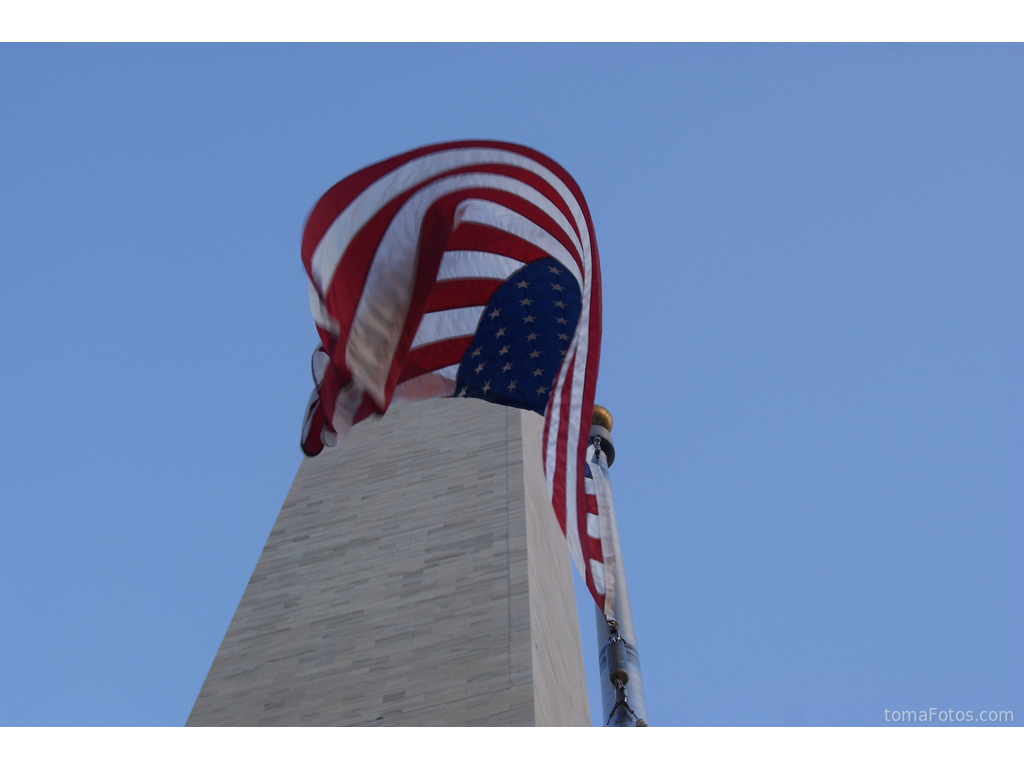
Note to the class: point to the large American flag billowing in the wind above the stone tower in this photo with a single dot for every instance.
(465, 270)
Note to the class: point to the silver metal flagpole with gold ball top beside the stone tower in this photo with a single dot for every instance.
(623, 701)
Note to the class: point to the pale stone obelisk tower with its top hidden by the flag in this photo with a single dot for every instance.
(416, 576)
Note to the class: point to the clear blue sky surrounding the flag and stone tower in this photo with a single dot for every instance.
(814, 264)
